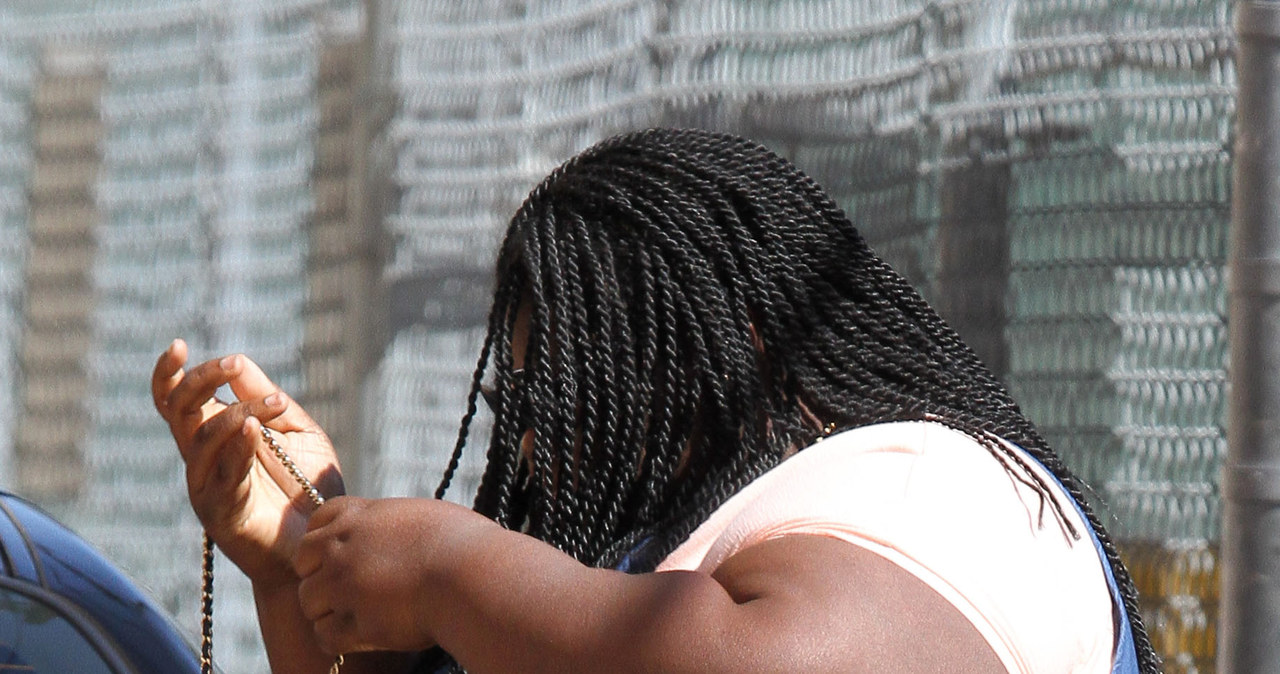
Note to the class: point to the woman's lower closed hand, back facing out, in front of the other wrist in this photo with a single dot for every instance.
(363, 566)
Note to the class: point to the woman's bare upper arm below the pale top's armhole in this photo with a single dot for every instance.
(835, 607)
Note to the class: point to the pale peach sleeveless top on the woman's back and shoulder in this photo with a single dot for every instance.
(936, 503)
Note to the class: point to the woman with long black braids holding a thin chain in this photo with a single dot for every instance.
(728, 438)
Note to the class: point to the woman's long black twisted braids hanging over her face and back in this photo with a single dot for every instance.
(697, 310)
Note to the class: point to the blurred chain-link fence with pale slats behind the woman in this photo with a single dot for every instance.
(322, 184)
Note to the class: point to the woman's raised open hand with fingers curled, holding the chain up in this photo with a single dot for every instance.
(252, 507)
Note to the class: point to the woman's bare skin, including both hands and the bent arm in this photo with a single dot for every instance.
(360, 576)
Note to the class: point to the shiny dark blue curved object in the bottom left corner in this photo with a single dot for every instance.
(66, 608)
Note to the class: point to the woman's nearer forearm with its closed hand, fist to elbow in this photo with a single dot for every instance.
(410, 574)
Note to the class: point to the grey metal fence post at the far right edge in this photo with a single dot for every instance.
(1250, 622)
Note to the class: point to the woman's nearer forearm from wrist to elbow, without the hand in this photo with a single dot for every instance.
(505, 602)
